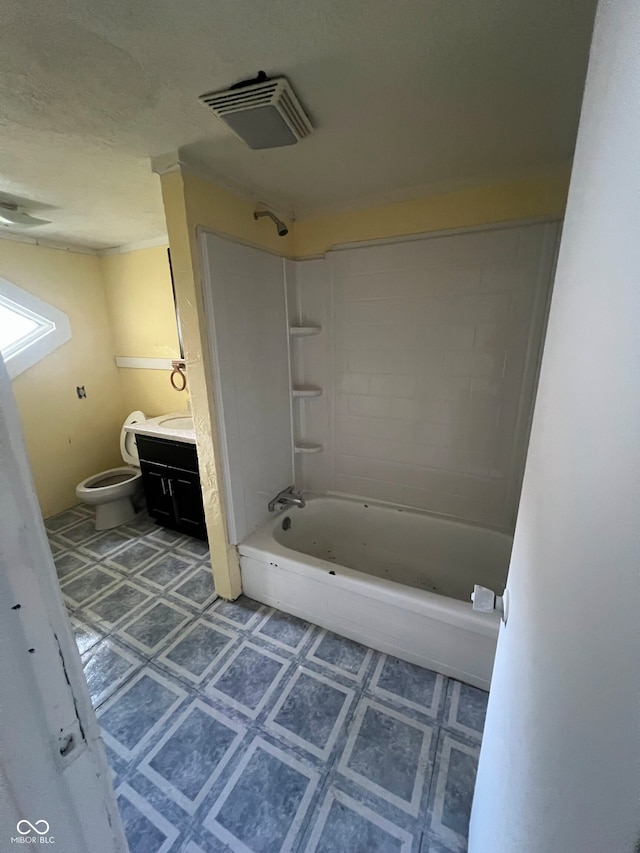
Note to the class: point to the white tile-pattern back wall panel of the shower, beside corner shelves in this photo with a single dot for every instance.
(428, 358)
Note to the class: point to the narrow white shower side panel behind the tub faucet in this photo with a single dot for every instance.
(246, 312)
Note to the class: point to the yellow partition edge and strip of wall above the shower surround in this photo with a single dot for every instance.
(191, 201)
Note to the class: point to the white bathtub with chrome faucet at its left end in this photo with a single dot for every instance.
(389, 577)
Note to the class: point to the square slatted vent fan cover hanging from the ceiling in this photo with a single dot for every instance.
(264, 113)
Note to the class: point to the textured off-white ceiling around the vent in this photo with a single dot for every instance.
(403, 95)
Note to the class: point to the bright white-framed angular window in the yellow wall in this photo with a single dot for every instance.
(30, 329)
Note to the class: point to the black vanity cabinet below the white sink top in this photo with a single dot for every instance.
(172, 484)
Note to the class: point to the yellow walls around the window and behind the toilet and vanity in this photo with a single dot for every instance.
(117, 305)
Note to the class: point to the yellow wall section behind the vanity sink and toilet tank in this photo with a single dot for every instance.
(138, 287)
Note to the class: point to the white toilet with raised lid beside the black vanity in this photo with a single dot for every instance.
(112, 491)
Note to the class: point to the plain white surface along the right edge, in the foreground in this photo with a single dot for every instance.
(559, 769)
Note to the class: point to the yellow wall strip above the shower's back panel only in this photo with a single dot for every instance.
(542, 196)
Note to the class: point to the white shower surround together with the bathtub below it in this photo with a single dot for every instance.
(407, 387)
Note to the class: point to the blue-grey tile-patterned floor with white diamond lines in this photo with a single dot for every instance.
(235, 727)
